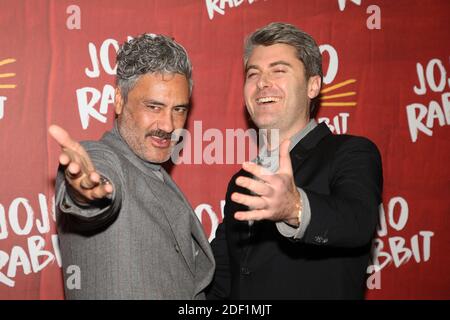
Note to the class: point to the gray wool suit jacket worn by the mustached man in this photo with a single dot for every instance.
(145, 243)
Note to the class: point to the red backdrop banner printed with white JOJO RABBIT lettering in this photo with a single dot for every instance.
(386, 66)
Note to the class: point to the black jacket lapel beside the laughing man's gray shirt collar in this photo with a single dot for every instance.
(303, 149)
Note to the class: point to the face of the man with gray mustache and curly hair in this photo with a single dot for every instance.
(157, 105)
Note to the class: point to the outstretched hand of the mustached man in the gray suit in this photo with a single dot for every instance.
(85, 183)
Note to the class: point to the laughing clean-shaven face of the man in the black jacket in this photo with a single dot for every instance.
(276, 92)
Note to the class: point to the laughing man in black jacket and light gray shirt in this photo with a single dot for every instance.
(303, 229)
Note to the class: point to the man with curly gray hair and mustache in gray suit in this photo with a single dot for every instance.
(126, 231)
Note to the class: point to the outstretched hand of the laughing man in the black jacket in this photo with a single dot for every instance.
(275, 196)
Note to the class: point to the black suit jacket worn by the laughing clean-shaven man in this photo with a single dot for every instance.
(342, 177)
